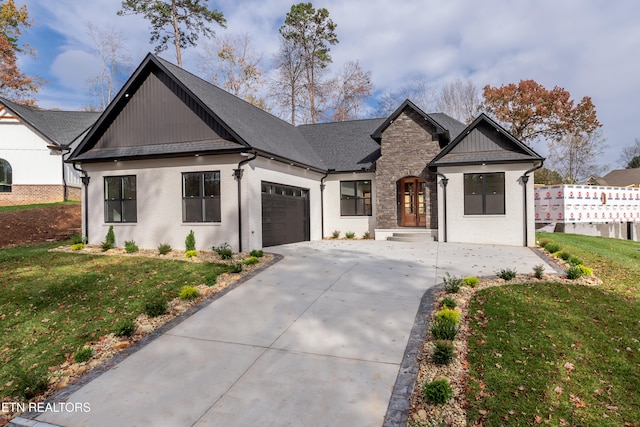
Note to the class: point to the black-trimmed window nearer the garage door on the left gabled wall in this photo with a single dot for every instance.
(201, 197)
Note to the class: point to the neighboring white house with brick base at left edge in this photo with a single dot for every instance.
(33, 143)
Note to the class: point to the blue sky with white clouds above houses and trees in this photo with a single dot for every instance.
(589, 47)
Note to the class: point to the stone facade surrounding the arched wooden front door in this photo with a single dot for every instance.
(407, 146)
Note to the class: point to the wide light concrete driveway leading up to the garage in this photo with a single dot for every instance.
(315, 340)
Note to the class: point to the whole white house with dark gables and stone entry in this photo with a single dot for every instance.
(174, 153)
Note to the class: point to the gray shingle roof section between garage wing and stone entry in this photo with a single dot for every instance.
(344, 146)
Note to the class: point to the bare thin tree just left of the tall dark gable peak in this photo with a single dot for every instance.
(115, 64)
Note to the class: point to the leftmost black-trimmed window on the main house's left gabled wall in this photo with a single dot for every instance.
(120, 203)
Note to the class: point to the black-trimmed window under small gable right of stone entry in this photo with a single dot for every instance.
(484, 193)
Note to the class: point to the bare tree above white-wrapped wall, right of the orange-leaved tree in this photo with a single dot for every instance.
(576, 156)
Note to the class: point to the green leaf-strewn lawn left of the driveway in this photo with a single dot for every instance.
(53, 303)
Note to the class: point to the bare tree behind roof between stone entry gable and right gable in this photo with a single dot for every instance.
(460, 100)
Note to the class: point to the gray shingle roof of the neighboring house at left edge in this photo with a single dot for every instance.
(60, 127)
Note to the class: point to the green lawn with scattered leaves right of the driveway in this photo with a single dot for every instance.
(554, 354)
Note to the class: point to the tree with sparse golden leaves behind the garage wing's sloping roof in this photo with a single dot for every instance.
(233, 64)
